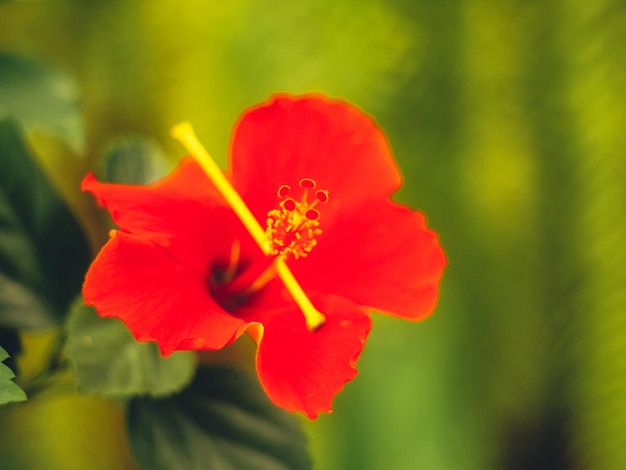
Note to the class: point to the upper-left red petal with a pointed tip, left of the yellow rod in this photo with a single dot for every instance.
(178, 212)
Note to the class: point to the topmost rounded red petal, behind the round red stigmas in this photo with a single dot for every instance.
(333, 142)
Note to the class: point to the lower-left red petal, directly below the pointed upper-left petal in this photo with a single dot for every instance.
(158, 298)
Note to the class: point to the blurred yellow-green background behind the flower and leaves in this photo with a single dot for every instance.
(508, 121)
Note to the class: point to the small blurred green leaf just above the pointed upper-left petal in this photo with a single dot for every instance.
(134, 160)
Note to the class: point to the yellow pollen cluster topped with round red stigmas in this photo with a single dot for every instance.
(294, 226)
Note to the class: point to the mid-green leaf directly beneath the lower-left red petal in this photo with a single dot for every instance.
(109, 361)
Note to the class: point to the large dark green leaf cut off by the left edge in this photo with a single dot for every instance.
(43, 251)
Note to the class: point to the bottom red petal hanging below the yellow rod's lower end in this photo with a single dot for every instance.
(303, 371)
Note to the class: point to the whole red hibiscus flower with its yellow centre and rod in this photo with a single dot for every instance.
(329, 246)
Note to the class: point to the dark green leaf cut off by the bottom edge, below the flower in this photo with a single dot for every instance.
(223, 421)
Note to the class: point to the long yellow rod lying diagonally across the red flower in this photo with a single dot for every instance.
(184, 133)
